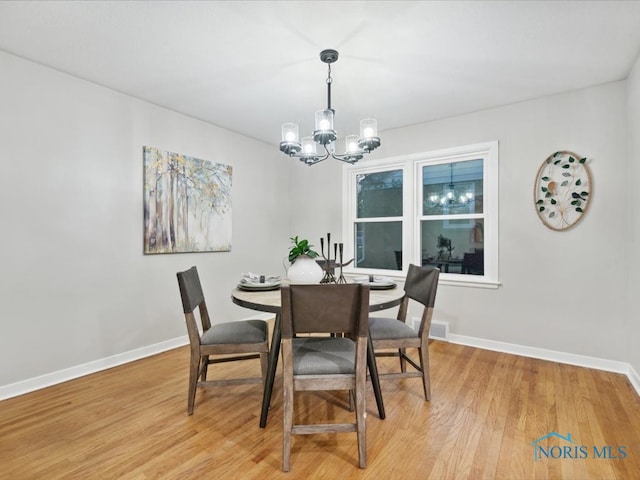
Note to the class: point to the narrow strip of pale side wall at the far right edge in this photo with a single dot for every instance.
(633, 337)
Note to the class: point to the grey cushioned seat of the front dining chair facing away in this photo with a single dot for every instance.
(323, 356)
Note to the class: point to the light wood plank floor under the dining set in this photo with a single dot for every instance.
(130, 422)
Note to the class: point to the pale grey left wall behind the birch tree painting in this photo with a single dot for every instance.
(75, 286)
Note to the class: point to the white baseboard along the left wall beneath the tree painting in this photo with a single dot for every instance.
(36, 383)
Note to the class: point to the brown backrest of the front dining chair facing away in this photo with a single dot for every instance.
(322, 308)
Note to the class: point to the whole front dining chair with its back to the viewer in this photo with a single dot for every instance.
(333, 356)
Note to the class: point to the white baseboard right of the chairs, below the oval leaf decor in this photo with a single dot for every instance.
(552, 355)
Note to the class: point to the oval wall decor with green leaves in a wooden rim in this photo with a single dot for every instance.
(562, 190)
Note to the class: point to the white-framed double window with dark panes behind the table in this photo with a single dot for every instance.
(435, 208)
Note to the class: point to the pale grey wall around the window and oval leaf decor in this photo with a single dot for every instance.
(561, 291)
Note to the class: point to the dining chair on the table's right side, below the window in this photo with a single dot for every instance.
(393, 333)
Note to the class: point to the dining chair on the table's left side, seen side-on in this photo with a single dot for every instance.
(230, 341)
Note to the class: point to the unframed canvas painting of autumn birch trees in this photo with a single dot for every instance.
(187, 204)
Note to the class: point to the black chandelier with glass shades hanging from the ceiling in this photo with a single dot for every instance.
(325, 135)
